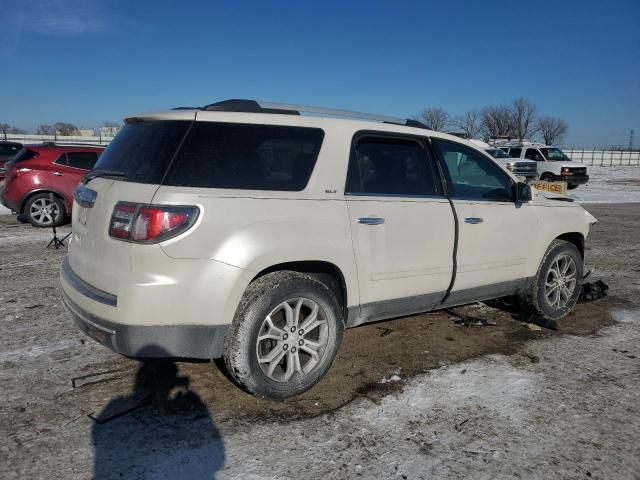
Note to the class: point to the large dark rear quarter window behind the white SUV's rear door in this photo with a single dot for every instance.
(244, 156)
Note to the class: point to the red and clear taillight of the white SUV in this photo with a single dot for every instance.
(150, 223)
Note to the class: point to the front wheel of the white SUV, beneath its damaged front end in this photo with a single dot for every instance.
(555, 289)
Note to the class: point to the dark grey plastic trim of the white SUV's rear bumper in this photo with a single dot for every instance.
(145, 341)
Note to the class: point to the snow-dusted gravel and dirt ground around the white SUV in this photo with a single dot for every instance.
(437, 400)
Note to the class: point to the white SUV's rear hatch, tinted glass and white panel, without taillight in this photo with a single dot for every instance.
(141, 153)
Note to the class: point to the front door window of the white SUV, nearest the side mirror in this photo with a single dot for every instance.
(473, 176)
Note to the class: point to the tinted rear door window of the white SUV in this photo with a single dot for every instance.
(390, 166)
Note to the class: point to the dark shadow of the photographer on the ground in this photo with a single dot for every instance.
(161, 430)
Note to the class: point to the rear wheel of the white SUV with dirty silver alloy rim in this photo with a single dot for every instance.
(285, 335)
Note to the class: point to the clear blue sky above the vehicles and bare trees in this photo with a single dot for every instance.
(89, 61)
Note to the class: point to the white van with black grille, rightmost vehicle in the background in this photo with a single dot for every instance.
(553, 164)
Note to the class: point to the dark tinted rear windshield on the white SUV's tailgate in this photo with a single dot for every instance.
(144, 150)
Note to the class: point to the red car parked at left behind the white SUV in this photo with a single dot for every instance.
(36, 172)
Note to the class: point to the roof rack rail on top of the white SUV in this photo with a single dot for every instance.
(253, 106)
